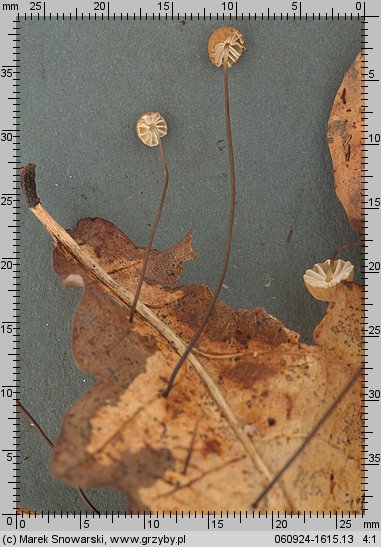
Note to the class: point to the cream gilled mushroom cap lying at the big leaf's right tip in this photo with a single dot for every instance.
(321, 285)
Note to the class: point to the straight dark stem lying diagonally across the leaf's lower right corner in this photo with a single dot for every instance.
(310, 435)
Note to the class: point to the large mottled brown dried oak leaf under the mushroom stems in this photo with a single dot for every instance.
(180, 453)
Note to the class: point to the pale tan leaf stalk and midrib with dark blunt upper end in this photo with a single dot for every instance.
(59, 235)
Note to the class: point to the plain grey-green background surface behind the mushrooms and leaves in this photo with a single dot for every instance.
(83, 85)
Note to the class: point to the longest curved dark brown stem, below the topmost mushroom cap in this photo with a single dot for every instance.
(210, 307)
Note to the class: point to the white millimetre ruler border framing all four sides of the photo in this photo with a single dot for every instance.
(363, 524)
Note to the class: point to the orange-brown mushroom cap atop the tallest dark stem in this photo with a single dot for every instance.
(218, 41)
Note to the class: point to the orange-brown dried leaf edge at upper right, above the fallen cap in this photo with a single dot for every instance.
(344, 139)
